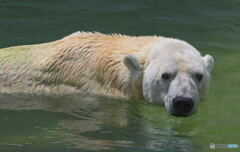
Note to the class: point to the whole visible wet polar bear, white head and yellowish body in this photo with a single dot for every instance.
(164, 71)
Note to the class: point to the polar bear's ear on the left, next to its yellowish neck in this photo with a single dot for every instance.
(132, 63)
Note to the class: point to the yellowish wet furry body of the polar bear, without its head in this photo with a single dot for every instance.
(89, 62)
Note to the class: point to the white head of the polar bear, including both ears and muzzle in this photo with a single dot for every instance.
(172, 74)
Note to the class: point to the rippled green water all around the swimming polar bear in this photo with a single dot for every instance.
(80, 123)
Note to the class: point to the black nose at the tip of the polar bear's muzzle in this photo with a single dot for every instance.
(182, 105)
